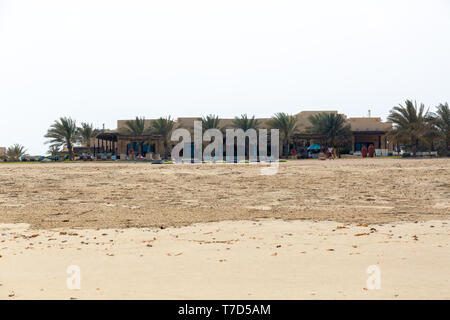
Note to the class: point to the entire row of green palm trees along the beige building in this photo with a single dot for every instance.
(414, 127)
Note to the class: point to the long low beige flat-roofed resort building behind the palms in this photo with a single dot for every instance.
(365, 131)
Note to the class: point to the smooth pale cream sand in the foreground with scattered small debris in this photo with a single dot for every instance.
(229, 260)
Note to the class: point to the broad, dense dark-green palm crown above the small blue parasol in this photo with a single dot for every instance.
(331, 125)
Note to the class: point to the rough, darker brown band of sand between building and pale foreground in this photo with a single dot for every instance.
(123, 195)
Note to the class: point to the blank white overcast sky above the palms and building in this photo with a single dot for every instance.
(99, 61)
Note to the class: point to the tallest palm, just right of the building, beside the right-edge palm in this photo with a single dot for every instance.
(412, 124)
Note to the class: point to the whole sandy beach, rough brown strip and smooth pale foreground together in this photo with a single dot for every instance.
(140, 231)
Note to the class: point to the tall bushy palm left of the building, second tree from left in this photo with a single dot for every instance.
(63, 132)
